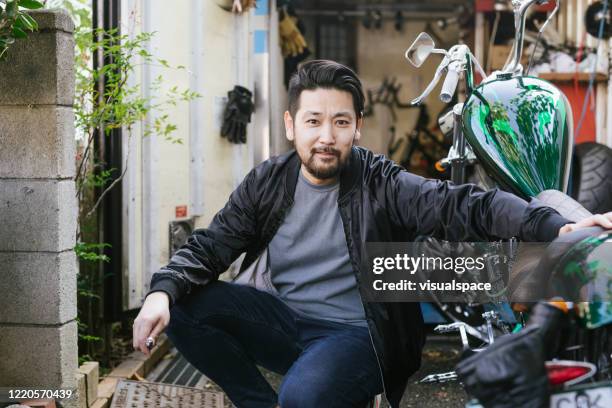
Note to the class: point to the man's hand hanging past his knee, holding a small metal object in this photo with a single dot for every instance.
(152, 320)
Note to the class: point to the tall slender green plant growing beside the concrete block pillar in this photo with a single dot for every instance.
(106, 99)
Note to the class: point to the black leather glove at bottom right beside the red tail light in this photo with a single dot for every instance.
(511, 372)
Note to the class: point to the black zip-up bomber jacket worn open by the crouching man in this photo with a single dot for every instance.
(379, 202)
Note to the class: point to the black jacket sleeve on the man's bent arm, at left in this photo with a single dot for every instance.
(210, 251)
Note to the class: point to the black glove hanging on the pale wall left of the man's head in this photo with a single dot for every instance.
(237, 114)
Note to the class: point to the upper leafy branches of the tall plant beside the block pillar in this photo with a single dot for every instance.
(117, 103)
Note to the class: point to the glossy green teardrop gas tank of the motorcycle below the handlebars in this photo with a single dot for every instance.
(521, 129)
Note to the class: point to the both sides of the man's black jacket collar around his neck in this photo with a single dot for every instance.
(349, 176)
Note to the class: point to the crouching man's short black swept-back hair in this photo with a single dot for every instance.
(328, 75)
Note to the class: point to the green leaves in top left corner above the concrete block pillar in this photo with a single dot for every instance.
(15, 22)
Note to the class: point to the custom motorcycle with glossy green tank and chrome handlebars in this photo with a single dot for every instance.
(517, 131)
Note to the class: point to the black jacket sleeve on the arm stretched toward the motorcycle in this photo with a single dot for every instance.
(466, 212)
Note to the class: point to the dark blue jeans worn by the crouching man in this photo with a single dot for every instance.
(226, 329)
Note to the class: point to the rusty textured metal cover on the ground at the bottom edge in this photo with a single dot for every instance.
(141, 394)
